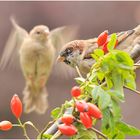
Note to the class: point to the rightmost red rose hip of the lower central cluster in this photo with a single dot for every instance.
(94, 111)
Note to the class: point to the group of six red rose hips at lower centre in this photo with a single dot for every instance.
(87, 112)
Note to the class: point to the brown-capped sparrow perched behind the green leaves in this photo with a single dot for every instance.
(78, 52)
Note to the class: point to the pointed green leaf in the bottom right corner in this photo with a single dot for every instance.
(127, 129)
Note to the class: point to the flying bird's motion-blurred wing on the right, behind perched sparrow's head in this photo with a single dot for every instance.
(59, 37)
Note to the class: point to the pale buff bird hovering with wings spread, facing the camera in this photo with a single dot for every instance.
(36, 51)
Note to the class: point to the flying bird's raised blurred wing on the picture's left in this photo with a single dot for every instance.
(11, 51)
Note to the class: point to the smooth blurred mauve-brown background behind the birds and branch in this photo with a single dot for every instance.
(92, 18)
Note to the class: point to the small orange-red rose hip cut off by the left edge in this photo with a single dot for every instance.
(5, 125)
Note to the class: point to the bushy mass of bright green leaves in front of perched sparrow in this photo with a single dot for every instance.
(116, 69)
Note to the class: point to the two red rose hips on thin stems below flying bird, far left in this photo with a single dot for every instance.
(16, 108)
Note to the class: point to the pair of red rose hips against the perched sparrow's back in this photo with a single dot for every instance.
(103, 41)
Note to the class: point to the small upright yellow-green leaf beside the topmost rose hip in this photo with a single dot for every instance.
(112, 42)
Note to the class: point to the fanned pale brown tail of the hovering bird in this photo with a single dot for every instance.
(35, 99)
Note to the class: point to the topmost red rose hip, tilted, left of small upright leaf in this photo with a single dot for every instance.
(102, 38)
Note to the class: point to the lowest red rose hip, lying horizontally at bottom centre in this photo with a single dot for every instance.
(68, 130)
